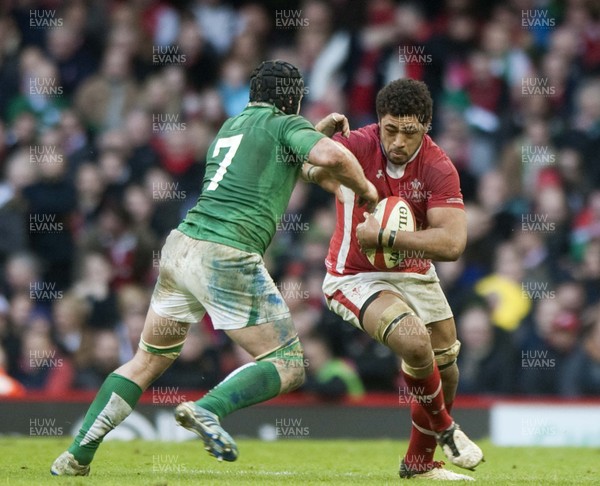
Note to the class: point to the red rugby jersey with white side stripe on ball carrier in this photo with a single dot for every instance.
(429, 180)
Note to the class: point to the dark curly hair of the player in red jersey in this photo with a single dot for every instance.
(405, 97)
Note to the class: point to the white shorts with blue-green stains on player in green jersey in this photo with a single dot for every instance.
(233, 286)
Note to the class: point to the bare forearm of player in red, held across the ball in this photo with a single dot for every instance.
(438, 244)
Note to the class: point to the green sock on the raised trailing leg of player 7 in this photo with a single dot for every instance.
(249, 384)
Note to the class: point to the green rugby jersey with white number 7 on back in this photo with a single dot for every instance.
(251, 169)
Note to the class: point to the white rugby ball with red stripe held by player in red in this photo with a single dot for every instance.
(393, 213)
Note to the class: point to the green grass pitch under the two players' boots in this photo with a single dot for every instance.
(26, 461)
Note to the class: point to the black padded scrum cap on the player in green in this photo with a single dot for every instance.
(278, 83)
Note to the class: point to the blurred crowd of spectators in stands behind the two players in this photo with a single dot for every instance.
(107, 109)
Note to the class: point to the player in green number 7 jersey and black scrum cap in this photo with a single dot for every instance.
(213, 263)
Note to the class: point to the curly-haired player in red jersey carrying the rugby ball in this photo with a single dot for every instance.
(404, 307)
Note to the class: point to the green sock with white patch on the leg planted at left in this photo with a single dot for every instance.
(113, 404)
